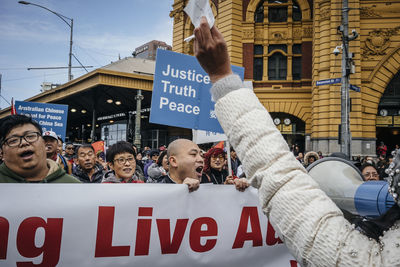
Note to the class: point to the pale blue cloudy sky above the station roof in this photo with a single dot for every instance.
(103, 30)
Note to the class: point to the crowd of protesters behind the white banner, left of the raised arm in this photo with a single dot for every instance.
(31, 155)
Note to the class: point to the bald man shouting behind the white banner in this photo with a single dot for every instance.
(185, 164)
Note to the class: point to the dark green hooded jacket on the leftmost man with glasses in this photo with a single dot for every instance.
(56, 175)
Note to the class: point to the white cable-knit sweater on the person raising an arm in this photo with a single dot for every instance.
(310, 224)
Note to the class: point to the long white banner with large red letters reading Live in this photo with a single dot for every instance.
(135, 225)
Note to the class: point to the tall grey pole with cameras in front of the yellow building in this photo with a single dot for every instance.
(347, 69)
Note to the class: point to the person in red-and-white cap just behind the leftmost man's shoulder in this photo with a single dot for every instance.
(51, 143)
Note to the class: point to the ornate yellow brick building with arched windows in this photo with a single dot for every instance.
(286, 46)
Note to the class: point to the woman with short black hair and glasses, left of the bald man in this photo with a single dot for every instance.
(121, 159)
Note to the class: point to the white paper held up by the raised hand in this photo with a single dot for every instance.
(197, 9)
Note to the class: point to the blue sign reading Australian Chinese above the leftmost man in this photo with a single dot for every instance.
(51, 117)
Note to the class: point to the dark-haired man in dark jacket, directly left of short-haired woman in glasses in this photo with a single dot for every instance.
(88, 170)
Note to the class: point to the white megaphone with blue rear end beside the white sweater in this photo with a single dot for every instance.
(343, 183)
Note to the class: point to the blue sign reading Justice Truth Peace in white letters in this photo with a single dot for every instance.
(181, 93)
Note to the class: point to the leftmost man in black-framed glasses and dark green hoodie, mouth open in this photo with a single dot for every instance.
(24, 154)
